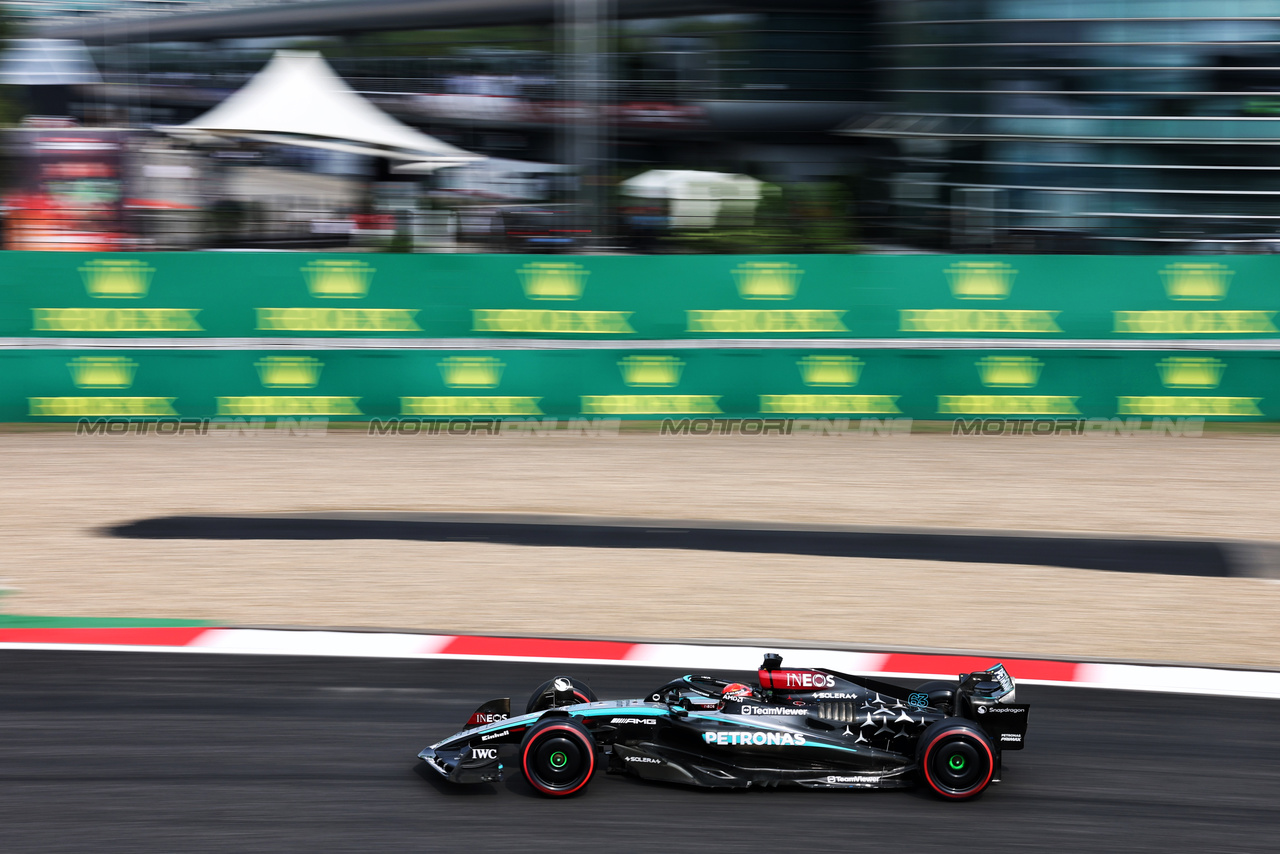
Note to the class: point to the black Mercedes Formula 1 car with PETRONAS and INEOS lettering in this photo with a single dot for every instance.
(819, 729)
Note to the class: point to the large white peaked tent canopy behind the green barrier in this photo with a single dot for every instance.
(299, 101)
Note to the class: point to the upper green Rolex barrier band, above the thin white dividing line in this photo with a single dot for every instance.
(249, 295)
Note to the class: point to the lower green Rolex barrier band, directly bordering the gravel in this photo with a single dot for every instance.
(355, 385)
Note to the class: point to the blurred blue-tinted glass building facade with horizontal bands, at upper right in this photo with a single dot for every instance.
(1096, 126)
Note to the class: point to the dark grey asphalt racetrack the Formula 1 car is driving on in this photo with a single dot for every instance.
(152, 752)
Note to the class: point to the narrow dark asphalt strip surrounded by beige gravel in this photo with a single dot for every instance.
(1109, 554)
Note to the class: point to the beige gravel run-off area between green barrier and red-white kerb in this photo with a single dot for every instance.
(61, 491)
